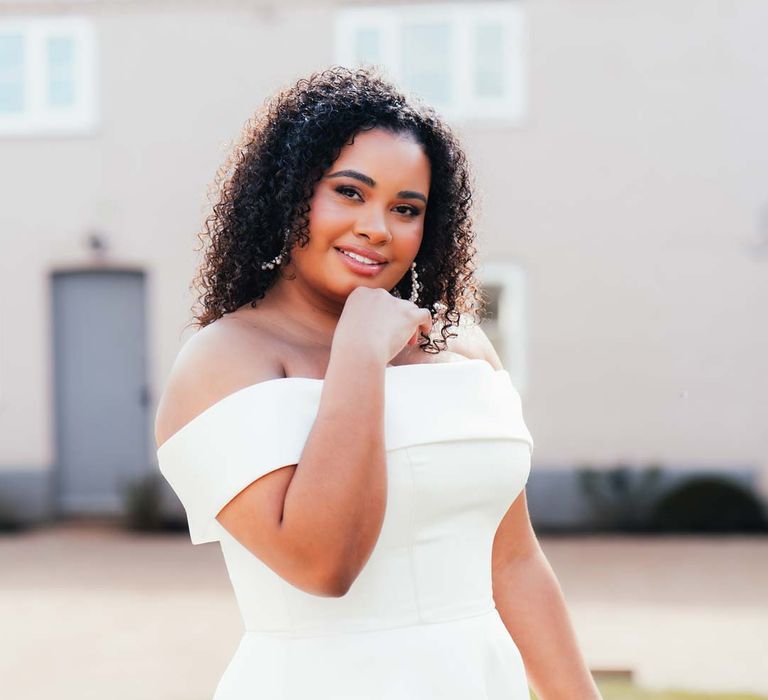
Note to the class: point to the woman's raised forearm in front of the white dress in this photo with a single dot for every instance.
(336, 500)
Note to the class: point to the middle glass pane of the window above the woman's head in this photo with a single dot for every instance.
(427, 61)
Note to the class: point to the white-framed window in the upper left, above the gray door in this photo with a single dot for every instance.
(46, 76)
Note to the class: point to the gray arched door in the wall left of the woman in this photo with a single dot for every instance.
(101, 397)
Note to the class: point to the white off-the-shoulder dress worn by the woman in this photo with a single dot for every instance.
(420, 621)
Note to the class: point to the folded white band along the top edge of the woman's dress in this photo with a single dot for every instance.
(265, 426)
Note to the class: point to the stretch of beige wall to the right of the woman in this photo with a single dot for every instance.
(632, 197)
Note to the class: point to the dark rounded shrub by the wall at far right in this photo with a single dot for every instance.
(708, 504)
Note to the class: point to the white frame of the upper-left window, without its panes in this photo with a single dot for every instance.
(38, 119)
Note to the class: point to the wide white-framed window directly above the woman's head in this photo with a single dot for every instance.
(464, 59)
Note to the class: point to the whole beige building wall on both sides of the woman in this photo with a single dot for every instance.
(630, 196)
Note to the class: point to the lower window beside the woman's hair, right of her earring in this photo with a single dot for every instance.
(505, 324)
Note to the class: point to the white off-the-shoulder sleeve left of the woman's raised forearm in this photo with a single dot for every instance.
(234, 442)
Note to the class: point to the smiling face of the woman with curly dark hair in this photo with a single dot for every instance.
(371, 201)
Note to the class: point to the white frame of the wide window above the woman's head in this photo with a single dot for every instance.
(389, 21)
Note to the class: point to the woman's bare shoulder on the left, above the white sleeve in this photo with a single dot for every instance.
(224, 356)
